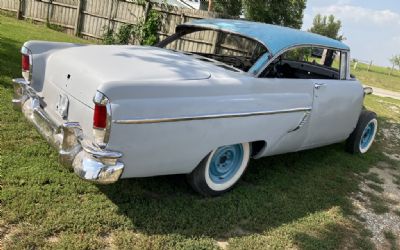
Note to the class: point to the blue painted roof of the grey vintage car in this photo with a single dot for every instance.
(275, 38)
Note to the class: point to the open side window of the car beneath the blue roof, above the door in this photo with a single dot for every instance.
(308, 63)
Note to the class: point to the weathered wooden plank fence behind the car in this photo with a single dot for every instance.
(91, 18)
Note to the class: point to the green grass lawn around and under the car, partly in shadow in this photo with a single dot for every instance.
(299, 200)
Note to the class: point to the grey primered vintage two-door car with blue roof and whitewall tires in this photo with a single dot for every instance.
(202, 102)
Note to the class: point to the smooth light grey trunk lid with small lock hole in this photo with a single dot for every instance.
(80, 71)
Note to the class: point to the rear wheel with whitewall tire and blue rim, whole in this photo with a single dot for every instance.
(220, 170)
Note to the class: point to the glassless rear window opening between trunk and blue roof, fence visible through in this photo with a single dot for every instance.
(231, 51)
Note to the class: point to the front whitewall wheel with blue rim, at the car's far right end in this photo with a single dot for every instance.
(363, 136)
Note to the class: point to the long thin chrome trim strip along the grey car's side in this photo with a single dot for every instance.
(208, 117)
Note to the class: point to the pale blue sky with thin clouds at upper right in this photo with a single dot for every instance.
(371, 27)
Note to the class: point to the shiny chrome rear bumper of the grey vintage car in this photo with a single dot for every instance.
(88, 160)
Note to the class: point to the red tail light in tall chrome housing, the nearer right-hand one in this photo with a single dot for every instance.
(101, 119)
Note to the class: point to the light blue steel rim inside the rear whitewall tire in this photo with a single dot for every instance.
(225, 163)
